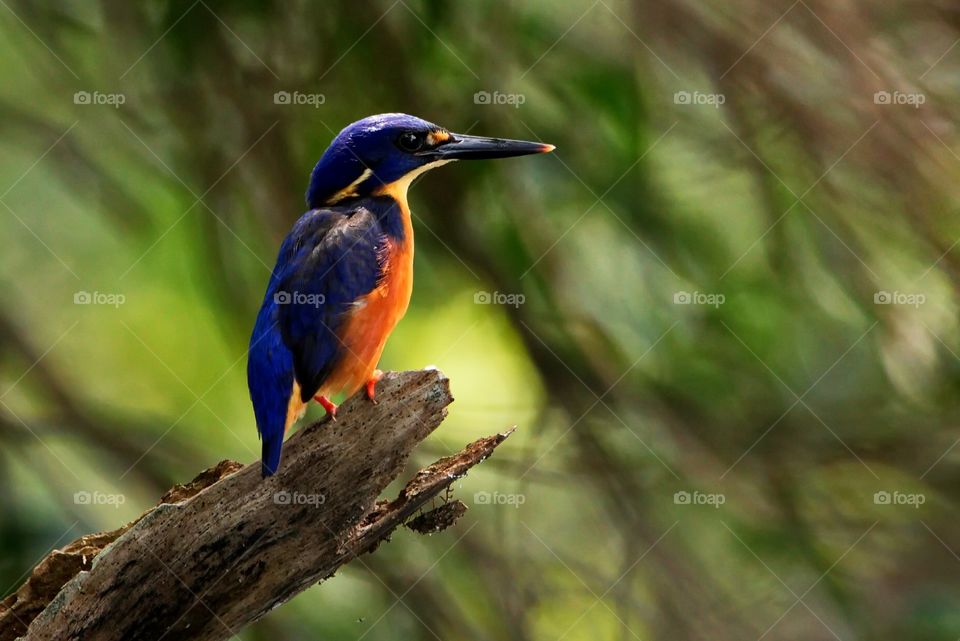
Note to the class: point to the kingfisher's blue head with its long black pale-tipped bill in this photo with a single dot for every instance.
(386, 152)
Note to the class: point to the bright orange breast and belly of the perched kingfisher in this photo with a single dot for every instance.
(365, 333)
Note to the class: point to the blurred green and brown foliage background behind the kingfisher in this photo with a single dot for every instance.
(784, 185)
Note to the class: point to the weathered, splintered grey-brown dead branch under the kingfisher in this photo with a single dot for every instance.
(224, 550)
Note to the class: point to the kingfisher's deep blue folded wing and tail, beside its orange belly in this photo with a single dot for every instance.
(331, 258)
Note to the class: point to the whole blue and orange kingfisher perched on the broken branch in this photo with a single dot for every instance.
(344, 273)
